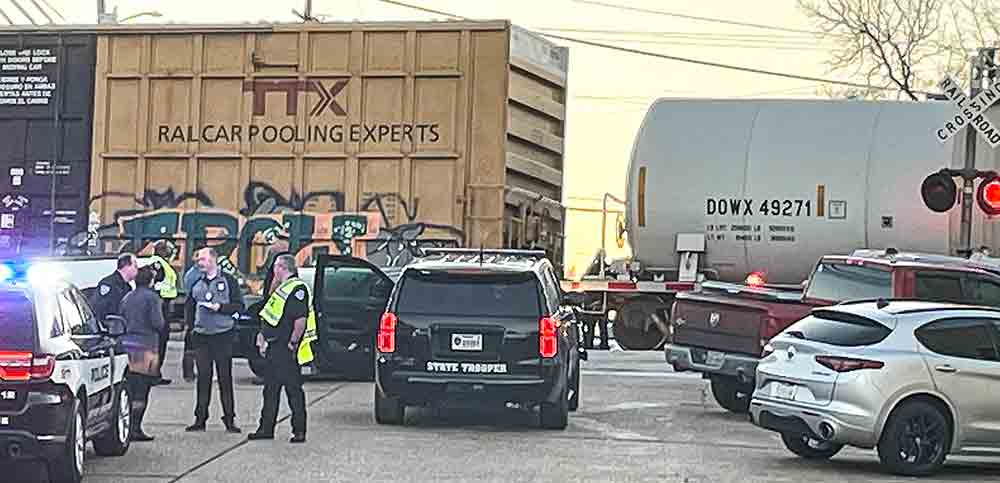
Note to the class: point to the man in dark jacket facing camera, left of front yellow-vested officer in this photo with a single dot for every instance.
(210, 309)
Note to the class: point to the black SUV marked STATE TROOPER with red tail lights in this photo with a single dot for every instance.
(475, 326)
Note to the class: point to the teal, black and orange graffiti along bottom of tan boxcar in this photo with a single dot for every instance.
(306, 224)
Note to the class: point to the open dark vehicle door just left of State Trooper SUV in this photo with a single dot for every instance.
(349, 296)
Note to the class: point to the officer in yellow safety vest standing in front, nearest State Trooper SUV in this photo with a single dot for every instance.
(288, 329)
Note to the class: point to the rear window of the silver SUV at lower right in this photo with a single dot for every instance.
(838, 328)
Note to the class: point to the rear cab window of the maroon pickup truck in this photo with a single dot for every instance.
(838, 282)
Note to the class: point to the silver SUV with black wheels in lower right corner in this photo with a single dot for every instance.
(915, 380)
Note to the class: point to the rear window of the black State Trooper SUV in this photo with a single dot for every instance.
(472, 294)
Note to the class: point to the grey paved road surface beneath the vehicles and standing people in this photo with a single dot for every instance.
(637, 422)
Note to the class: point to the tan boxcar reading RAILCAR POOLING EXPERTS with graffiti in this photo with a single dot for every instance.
(360, 137)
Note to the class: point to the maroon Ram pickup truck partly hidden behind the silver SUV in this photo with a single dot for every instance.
(721, 329)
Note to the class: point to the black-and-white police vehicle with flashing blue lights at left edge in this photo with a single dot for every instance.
(62, 381)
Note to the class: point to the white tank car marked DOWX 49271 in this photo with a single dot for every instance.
(775, 184)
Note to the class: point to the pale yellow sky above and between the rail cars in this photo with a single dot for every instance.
(610, 91)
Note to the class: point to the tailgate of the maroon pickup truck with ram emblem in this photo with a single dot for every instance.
(718, 324)
